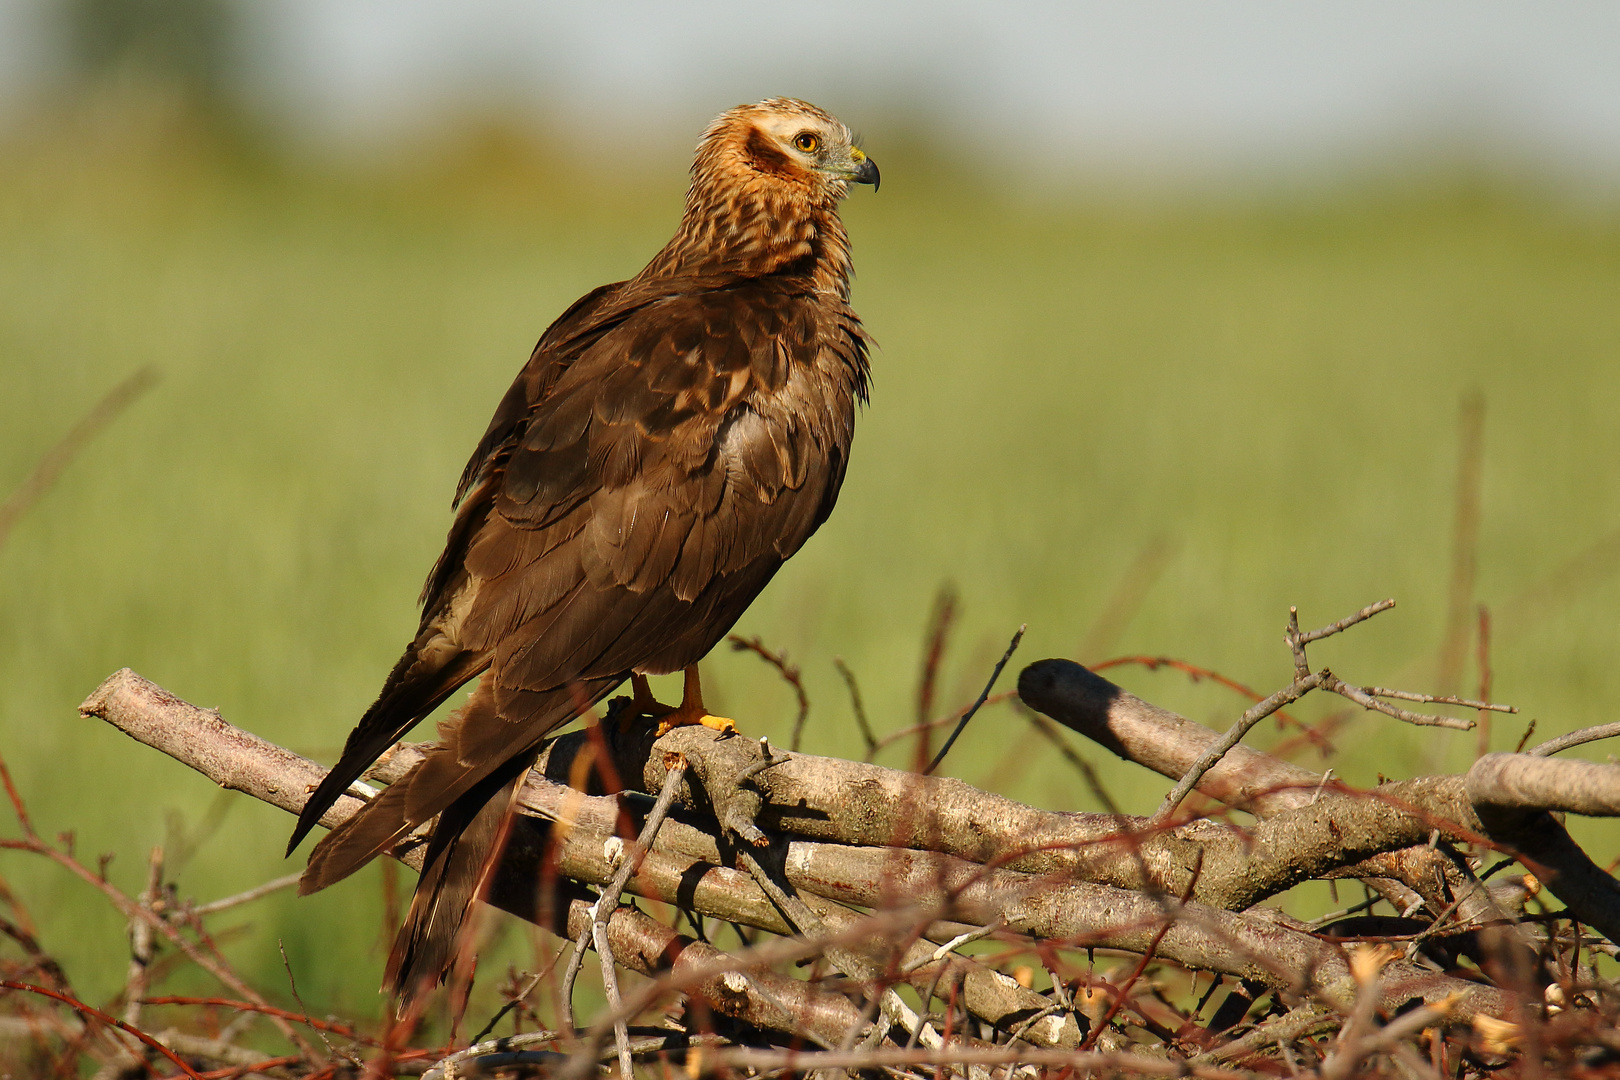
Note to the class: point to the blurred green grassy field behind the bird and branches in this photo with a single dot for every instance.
(1264, 388)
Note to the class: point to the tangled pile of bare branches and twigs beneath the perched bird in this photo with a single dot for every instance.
(764, 912)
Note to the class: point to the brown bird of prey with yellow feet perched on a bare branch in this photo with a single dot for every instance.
(668, 446)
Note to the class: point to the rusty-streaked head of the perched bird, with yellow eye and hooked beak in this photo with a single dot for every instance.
(787, 143)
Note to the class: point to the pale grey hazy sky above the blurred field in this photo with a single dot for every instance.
(1166, 85)
